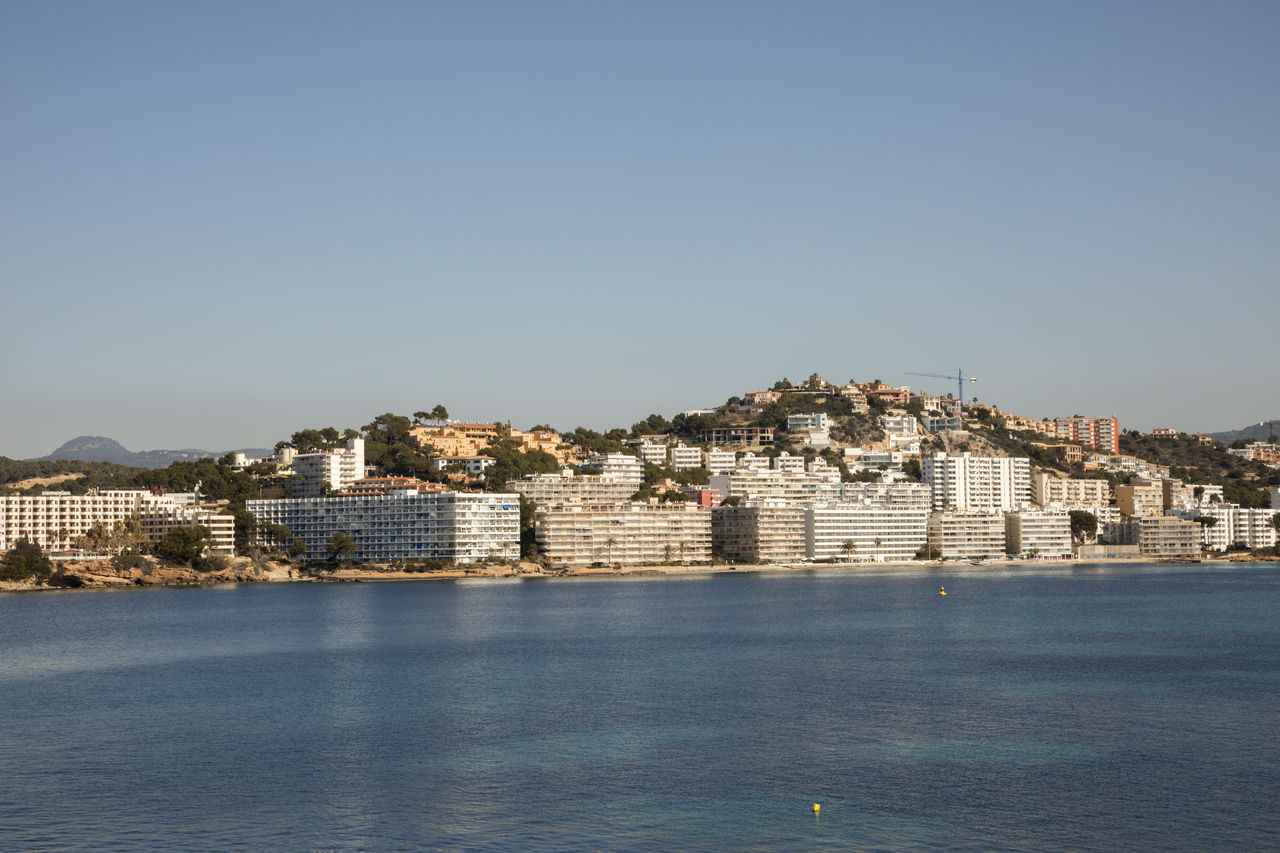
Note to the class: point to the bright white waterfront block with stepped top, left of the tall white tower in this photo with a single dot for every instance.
(871, 522)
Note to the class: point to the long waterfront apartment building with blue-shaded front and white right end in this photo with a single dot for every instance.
(463, 527)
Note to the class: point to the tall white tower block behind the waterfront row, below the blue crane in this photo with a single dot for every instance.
(979, 483)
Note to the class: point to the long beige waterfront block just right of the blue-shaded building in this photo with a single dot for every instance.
(629, 535)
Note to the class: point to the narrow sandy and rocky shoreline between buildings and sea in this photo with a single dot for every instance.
(90, 577)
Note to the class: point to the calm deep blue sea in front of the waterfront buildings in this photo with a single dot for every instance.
(1077, 709)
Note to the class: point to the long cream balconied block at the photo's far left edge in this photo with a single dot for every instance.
(56, 521)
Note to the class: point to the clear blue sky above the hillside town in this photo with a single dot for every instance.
(226, 222)
